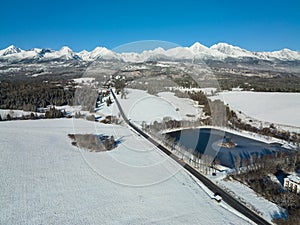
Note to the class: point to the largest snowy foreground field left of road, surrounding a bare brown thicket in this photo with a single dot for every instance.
(46, 180)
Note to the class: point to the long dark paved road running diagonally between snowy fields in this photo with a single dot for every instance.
(208, 183)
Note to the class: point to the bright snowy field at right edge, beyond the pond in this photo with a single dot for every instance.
(279, 108)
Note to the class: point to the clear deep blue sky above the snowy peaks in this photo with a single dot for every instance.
(259, 25)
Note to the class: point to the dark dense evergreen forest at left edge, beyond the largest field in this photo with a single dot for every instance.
(30, 96)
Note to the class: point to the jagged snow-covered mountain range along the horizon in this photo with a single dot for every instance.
(218, 51)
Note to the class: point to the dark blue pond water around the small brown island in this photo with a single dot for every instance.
(206, 140)
